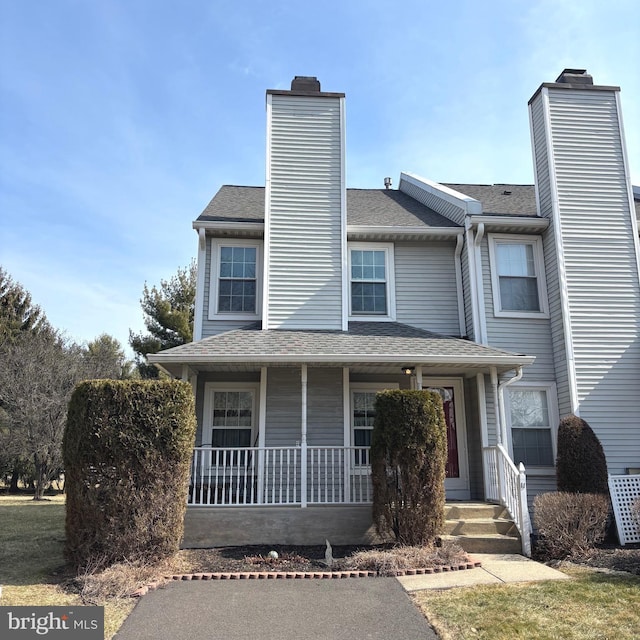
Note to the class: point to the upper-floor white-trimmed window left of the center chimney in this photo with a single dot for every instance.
(235, 278)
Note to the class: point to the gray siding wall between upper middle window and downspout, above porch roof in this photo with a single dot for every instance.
(426, 294)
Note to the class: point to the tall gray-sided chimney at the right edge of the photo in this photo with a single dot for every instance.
(592, 257)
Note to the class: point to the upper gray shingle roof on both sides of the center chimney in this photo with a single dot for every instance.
(379, 207)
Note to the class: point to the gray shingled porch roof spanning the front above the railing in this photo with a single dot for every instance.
(365, 343)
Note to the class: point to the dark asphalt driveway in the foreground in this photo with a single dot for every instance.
(349, 609)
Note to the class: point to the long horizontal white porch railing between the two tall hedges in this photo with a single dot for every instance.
(274, 476)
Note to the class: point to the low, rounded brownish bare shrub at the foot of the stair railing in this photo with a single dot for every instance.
(569, 524)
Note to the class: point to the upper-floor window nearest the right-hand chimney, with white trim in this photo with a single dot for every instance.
(517, 276)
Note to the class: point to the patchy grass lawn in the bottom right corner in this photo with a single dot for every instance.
(592, 606)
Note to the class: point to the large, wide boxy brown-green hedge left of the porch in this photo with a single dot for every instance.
(127, 449)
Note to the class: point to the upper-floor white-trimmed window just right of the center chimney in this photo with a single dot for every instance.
(371, 281)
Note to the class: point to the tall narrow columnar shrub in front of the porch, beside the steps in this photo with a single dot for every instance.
(408, 458)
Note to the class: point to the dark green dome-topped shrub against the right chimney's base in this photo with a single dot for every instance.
(581, 466)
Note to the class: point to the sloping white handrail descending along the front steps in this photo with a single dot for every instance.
(506, 484)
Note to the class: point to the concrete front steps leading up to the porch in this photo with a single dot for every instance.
(481, 528)
